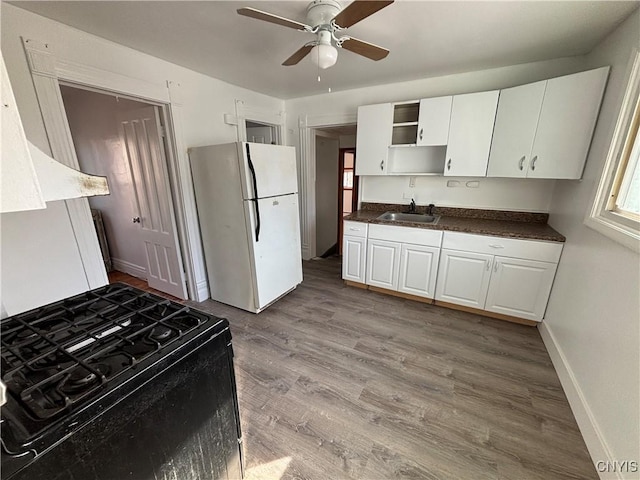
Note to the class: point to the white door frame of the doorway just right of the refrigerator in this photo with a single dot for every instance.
(307, 173)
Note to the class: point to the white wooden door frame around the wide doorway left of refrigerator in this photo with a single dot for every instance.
(47, 70)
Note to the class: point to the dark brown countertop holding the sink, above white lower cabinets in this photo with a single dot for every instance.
(503, 224)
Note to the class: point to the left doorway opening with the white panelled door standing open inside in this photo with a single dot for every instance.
(123, 139)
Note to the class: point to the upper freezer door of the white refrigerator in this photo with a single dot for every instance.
(267, 170)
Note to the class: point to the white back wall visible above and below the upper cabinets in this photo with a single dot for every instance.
(504, 194)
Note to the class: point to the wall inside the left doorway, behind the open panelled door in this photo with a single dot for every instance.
(93, 120)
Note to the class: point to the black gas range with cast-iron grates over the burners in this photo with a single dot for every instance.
(118, 383)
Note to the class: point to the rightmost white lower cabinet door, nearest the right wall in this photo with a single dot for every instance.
(520, 287)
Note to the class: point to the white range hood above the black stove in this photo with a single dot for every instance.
(29, 177)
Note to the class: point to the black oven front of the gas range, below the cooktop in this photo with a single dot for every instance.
(180, 423)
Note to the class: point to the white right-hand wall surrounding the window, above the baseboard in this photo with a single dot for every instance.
(593, 319)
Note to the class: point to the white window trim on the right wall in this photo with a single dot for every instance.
(602, 216)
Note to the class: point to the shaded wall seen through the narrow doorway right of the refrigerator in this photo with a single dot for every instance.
(327, 163)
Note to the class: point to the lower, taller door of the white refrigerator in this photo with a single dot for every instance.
(275, 246)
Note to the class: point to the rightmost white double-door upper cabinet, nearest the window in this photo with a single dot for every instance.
(544, 129)
